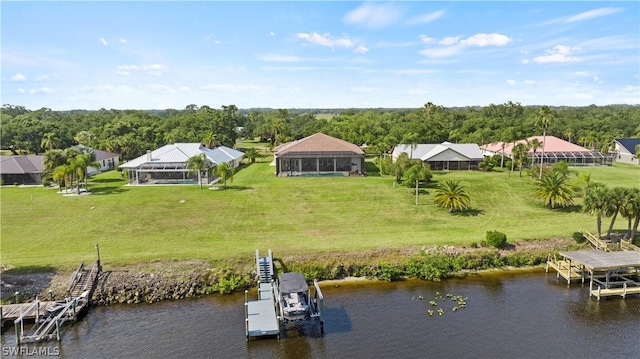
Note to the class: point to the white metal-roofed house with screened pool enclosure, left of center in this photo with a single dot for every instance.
(168, 164)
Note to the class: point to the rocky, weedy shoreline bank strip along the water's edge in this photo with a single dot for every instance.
(159, 281)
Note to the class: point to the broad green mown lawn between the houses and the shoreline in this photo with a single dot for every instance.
(41, 228)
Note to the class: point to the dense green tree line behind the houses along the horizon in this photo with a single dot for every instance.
(132, 132)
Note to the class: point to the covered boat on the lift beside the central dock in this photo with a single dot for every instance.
(294, 297)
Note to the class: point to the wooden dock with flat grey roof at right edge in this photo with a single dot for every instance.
(609, 273)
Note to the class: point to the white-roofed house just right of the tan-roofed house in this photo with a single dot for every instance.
(445, 156)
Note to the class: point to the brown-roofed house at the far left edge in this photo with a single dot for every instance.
(23, 170)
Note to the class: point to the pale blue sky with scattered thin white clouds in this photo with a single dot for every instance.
(157, 55)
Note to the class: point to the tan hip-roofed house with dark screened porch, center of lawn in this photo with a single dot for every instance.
(318, 155)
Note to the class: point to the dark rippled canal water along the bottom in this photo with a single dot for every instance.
(510, 315)
